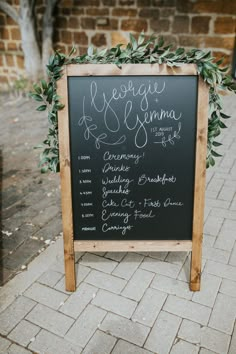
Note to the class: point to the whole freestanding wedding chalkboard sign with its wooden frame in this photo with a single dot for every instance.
(132, 156)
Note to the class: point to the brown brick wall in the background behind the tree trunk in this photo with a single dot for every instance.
(208, 24)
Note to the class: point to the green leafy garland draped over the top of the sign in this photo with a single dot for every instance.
(152, 50)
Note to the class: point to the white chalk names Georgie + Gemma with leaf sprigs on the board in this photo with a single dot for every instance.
(115, 122)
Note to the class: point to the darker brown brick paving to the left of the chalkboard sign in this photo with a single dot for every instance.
(30, 201)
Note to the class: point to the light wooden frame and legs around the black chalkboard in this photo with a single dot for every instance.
(70, 244)
